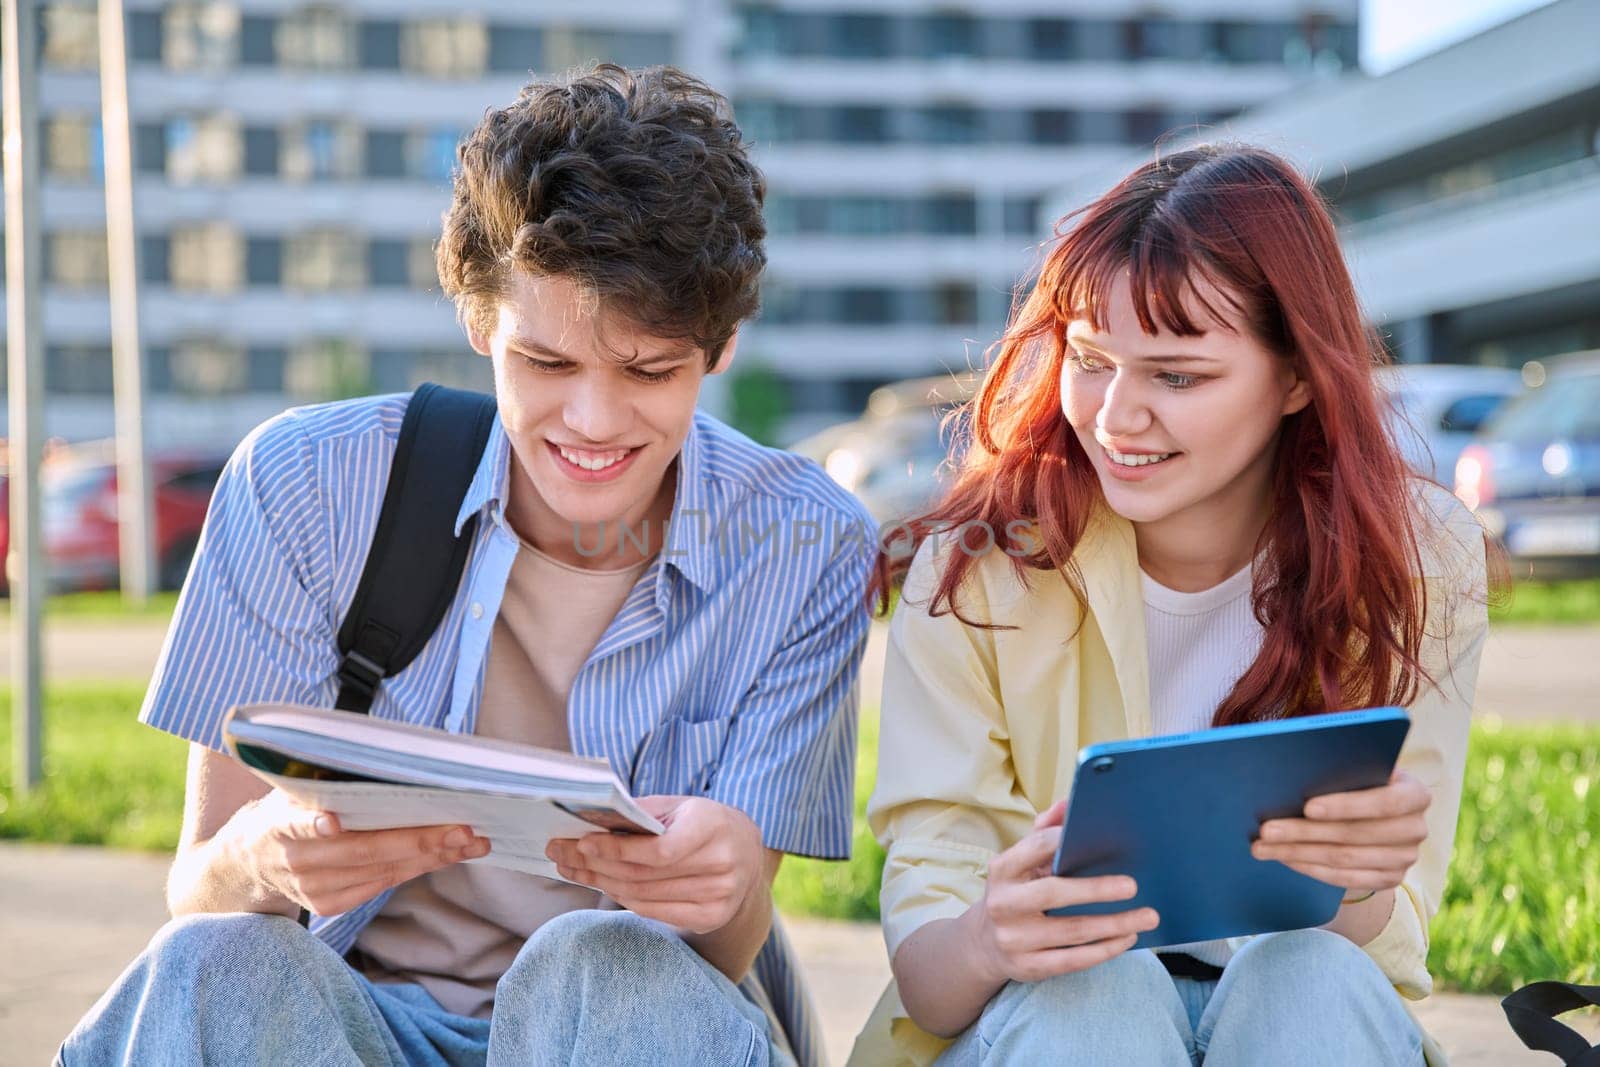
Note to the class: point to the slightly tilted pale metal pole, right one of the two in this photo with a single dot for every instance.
(122, 246)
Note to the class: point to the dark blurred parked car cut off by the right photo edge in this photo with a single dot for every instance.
(1534, 476)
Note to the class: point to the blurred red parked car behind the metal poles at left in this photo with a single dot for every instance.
(79, 514)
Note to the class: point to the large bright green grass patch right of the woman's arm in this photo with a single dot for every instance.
(1524, 895)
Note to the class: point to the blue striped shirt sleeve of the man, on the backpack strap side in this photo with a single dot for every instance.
(254, 621)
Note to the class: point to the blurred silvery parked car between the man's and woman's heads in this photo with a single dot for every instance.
(895, 457)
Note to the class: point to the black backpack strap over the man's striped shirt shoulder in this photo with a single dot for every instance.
(417, 559)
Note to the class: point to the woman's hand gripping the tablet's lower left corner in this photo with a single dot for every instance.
(1014, 938)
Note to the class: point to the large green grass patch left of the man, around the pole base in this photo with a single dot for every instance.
(108, 780)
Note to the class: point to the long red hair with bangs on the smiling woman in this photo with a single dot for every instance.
(1337, 580)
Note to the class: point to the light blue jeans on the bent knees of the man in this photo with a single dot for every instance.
(590, 988)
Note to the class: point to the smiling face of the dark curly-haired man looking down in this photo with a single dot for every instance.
(596, 410)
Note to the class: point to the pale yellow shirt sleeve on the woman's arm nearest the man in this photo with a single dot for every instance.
(946, 799)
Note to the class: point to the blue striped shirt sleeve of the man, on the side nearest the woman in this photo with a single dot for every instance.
(794, 737)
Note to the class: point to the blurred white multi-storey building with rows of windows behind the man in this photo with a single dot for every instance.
(292, 164)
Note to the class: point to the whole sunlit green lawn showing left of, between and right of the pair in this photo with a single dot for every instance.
(1522, 905)
